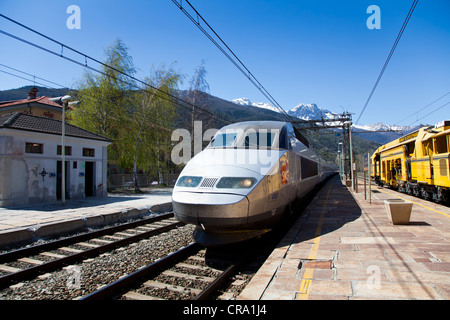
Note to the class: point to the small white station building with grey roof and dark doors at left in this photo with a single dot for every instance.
(31, 164)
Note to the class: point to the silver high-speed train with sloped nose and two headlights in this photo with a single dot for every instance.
(239, 186)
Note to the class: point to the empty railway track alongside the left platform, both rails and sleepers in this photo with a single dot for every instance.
(30, 262)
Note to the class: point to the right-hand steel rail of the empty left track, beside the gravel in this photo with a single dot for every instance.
(76, 257)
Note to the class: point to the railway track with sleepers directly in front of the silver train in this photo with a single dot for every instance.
(180, 275)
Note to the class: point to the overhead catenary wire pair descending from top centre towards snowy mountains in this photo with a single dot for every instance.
(236, 61)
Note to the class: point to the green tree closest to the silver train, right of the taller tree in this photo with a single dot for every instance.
(148, 126)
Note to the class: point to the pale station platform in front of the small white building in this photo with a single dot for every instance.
(30, 222)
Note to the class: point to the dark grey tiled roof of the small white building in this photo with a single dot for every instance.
(27, 122)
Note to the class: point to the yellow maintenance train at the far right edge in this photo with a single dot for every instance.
(417, 163)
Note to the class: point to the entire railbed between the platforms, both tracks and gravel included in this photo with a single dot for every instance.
(131, 262)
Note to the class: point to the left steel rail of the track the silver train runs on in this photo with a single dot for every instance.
(124, 283)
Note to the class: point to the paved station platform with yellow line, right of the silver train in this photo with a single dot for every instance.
(344, 248)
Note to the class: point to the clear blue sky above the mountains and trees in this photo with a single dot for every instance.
(301, 51)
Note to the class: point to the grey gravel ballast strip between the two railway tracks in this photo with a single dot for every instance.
(78, 280)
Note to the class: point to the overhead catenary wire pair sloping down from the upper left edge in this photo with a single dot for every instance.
(166, 96)
